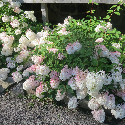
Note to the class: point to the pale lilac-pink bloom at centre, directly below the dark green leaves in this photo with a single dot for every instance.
(65, 73)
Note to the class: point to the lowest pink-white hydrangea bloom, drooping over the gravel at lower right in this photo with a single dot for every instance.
(99, 115)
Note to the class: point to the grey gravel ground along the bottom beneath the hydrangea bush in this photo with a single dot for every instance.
(28, 111)
